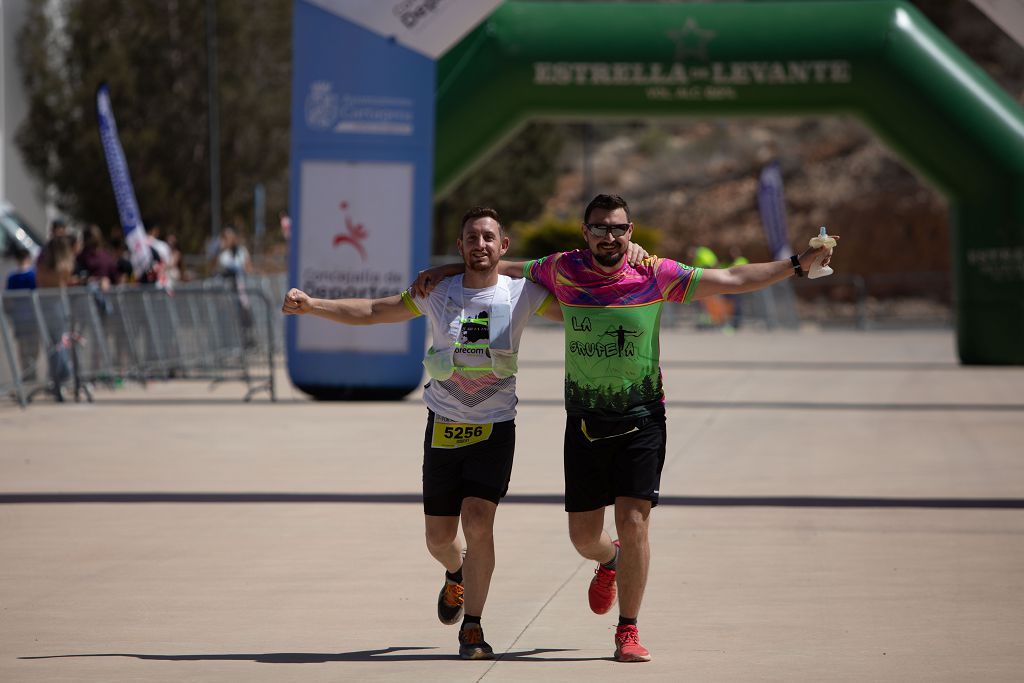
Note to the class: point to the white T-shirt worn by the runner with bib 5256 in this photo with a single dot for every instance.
(478, 397)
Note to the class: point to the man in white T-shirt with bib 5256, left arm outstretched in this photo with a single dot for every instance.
(477, 322)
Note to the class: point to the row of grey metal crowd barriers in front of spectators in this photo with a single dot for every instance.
(67, 341)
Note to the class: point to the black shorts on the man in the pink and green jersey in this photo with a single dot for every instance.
(606, 460)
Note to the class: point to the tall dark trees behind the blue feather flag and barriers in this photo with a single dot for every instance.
(154, 57)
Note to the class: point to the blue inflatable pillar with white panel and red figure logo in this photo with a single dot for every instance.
(362, 166)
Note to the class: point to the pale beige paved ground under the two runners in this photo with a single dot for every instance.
(838, 506)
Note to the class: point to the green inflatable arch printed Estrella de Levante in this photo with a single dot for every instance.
(881, 61)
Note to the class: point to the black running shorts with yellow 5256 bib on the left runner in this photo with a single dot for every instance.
(482, 469)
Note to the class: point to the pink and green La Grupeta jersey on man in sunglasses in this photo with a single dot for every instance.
(613, 324)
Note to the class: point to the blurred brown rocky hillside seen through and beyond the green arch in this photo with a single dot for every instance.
(697, 180)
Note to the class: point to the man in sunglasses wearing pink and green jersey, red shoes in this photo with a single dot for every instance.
(616, 430)
